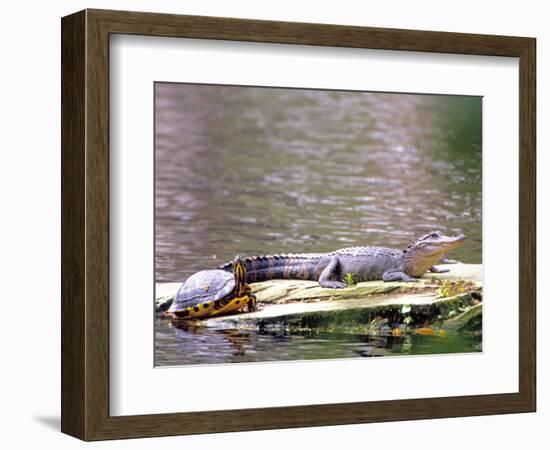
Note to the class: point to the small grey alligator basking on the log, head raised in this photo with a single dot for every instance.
(363, 263)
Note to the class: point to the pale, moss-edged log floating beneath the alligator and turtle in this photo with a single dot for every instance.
(299, 304)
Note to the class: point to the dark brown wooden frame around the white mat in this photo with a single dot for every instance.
(85, 224)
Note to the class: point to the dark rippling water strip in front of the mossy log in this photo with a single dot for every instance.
(177, 345)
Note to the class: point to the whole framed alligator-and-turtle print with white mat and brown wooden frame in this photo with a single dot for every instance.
(272, 224)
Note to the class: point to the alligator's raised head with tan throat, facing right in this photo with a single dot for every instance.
(427, 251)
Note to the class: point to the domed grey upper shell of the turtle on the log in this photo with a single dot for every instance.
(203, 288)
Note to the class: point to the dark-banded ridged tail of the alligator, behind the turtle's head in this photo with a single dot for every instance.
(262, 268)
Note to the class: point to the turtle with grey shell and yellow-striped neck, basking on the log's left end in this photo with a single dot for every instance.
(210, 293)
